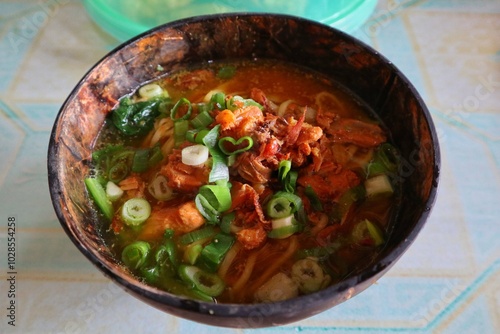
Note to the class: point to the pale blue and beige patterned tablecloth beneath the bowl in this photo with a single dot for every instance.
(448, 282)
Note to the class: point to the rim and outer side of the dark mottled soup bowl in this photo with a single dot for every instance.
(242, 310)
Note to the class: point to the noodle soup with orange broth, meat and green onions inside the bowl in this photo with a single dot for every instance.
(243, 182)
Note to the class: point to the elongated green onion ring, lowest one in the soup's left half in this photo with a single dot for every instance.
(208, 283)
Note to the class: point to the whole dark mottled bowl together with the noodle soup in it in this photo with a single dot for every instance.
(243, 170)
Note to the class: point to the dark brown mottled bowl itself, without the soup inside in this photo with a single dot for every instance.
(358, 67)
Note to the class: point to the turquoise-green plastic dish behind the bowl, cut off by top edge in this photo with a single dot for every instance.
(124, 19)
